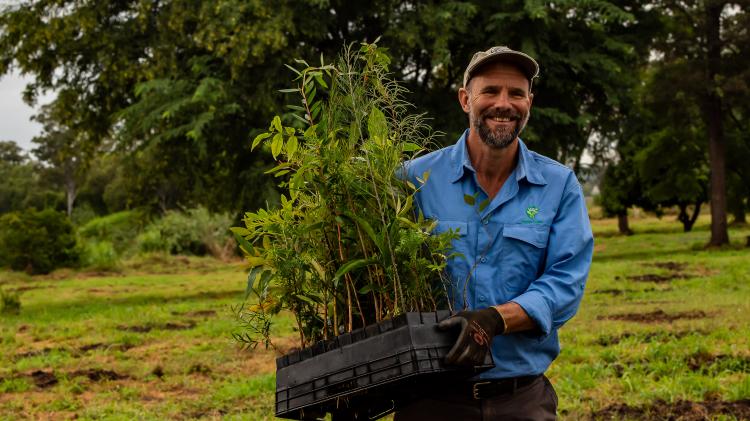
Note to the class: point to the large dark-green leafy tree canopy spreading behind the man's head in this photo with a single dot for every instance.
(183, 84)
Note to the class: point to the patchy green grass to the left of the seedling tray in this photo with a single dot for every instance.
(162, 326)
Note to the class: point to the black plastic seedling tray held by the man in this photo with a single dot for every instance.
(369, 372)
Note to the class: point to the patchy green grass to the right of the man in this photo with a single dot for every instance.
(701, 356)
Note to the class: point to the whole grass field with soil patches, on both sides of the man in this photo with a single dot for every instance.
(662, 331)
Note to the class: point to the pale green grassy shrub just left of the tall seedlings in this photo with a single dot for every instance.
(196, 231)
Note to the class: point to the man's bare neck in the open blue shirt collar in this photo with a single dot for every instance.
(492, 165)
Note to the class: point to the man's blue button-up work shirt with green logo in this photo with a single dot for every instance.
(531, 244)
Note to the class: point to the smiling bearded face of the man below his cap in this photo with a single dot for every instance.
(498, 102)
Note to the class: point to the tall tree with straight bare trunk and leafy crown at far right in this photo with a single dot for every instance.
(705, 38)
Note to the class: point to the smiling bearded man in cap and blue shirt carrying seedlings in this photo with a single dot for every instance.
(526, 246)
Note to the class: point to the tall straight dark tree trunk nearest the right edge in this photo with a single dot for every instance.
(717, 147)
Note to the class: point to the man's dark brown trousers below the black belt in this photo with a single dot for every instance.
(534, 402)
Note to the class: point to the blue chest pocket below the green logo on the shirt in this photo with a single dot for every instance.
(524, 248)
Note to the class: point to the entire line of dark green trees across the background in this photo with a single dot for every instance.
(158, 100)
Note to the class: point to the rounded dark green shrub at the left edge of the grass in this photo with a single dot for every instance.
(37, 241)
